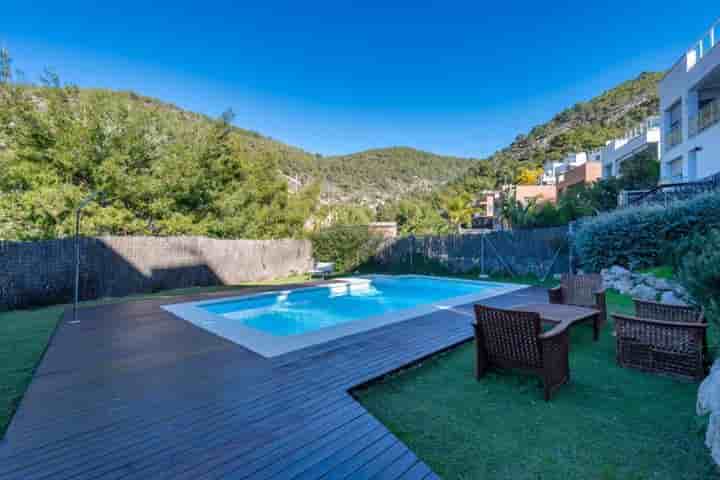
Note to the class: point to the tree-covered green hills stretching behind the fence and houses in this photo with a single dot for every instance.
(165, 171)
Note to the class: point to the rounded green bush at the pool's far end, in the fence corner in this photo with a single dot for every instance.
(348, 247)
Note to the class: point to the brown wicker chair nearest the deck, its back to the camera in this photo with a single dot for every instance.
(514, 339)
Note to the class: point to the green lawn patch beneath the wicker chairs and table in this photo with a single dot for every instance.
(607, 423)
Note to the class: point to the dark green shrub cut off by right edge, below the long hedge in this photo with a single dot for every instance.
(700, 271)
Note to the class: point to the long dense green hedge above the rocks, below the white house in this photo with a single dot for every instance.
(641, 237)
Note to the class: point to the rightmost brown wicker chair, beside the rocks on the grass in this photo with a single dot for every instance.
(662, 338)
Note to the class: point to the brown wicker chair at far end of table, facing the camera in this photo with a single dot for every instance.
(582, 291)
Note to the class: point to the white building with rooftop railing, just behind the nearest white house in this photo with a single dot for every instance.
(645, 138)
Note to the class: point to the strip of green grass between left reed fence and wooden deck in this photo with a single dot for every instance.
(24, 334)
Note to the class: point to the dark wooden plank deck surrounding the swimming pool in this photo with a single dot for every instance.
(132, 392)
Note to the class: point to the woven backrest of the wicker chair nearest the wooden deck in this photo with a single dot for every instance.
(510, 337)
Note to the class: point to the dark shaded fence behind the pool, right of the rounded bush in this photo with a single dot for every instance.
(539, 252)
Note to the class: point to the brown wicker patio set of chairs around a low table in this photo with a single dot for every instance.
(660, 338)
